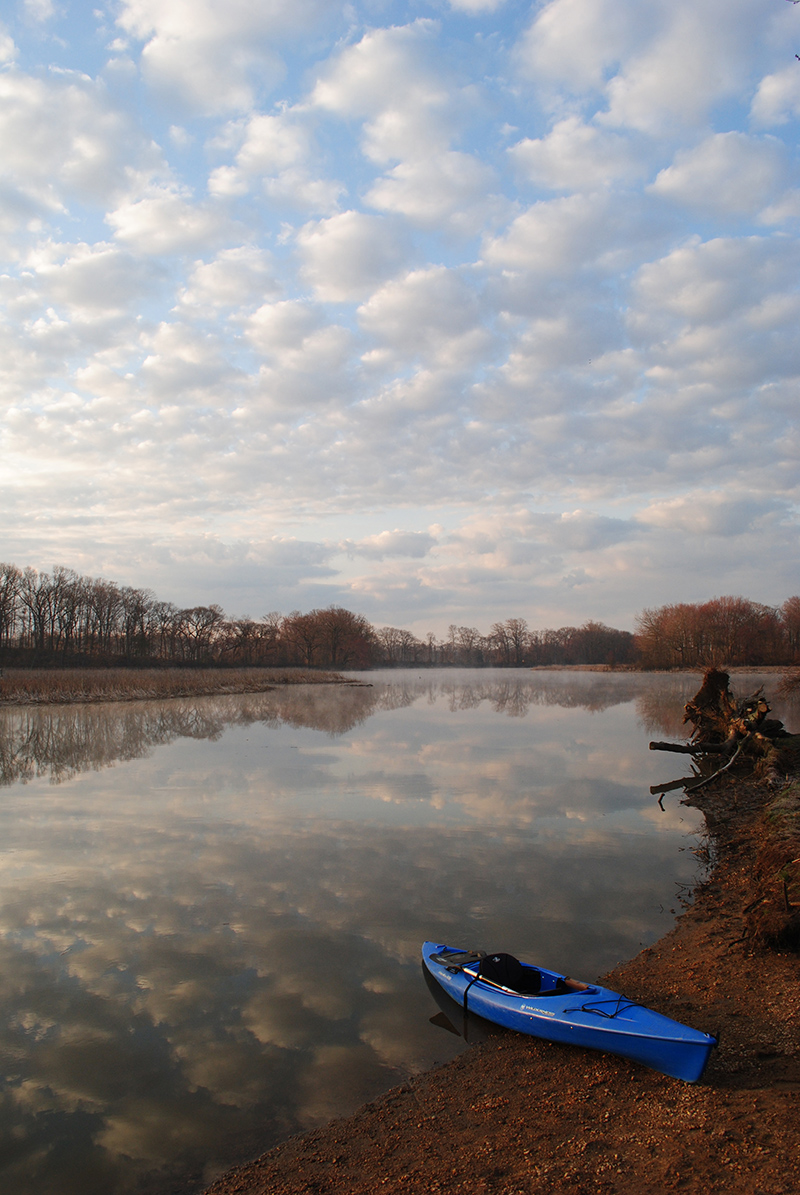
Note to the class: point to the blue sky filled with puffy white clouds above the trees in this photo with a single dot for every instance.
(444, 311)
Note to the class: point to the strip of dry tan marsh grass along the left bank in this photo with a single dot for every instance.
(42, 687)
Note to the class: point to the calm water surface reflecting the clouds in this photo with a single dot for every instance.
(211, 911)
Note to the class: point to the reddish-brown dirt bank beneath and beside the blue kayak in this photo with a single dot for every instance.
(517, 1117)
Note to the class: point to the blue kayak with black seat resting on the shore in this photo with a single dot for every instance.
(545, 1004)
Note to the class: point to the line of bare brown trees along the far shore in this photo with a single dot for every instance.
(64, 620)
